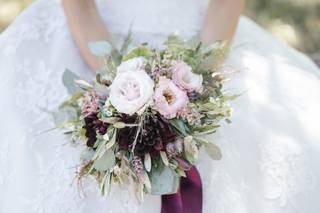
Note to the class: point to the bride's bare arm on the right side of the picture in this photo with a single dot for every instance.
(221, 20)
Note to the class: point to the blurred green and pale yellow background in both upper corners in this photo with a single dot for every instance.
(296, 22)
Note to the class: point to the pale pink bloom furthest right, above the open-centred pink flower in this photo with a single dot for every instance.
(184, 78)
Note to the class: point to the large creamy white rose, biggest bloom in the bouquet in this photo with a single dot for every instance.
(131, 91)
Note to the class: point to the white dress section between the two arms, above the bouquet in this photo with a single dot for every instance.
(154, 19)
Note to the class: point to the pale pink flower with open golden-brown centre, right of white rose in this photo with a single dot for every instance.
(169, 98)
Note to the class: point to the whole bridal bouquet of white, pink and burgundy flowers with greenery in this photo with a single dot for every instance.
(143, 119)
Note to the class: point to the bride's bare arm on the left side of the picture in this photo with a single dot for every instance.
(85, 25)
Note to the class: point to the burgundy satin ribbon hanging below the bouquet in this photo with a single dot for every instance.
(188, 199)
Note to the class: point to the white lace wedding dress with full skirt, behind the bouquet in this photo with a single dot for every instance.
(271, 151)
